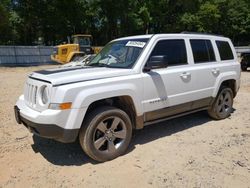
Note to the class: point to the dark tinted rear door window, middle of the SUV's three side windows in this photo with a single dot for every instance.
(202, 51)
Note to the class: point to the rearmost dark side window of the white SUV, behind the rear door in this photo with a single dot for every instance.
(224, 50)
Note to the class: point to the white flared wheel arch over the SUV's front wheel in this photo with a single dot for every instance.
(126, 93)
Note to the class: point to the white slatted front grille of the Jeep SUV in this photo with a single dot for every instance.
(30, 94)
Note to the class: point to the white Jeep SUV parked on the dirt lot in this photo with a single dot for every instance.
(133, 82)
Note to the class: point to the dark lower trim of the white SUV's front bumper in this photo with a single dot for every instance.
(47, 130)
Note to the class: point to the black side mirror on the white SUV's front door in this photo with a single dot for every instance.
(156, 62)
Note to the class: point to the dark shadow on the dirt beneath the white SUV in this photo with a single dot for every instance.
(71, 154)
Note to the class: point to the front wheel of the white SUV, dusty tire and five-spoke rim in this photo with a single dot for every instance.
(106, 133)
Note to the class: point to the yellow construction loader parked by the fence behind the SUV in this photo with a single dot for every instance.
(81, 45)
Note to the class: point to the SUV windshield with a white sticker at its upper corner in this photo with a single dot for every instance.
(119, 54)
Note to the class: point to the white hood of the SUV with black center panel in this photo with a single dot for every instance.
(67, 75)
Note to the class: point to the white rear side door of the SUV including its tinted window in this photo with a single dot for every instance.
(205, 68)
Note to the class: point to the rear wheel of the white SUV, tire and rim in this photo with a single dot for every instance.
(222, 105)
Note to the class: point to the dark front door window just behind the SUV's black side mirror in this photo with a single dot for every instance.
(175, 50)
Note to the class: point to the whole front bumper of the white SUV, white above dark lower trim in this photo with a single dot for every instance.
(61, 125)
